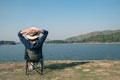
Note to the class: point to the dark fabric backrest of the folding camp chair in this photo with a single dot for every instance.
(34, 56)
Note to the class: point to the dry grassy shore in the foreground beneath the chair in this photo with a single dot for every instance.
(64, 70)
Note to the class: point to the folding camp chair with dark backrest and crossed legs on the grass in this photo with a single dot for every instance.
(34, 61)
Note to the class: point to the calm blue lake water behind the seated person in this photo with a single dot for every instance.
(10, 53)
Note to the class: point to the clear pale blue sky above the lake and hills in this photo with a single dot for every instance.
(62, 18)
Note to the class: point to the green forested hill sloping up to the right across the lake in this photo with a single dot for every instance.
(98, 36)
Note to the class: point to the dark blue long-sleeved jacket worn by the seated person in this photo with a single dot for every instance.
(37, 47)
